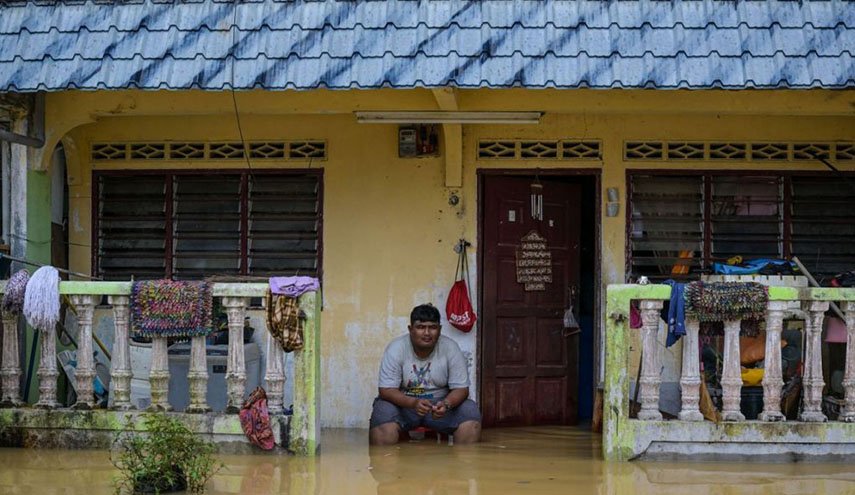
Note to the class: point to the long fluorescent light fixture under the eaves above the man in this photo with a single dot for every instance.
(448, 117)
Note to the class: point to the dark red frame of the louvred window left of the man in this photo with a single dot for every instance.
(169, 175)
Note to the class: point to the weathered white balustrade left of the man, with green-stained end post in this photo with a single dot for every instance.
(304, 426)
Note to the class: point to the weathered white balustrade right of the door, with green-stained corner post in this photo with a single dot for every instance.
(626, 438)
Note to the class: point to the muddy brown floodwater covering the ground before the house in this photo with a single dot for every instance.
(540, 461)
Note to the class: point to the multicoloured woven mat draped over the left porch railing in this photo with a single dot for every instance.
(166, 308)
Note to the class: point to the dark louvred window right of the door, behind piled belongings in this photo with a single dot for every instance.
(680, 223)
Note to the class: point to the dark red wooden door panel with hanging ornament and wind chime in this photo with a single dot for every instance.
(529, 374)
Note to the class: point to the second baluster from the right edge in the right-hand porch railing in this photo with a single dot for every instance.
(813, 381)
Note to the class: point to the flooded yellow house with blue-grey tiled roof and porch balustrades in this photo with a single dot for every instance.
(371, 144)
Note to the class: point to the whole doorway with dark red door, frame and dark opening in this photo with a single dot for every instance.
(534, 369)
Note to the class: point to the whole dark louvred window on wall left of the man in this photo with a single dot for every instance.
(190, 225)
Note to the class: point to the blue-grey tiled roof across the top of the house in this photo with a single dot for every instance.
(273, 44)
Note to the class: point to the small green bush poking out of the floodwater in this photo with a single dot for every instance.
(167, 457)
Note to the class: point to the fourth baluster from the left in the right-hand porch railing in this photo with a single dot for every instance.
(773, 380)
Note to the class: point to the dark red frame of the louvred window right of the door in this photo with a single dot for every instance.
(786, 177)
